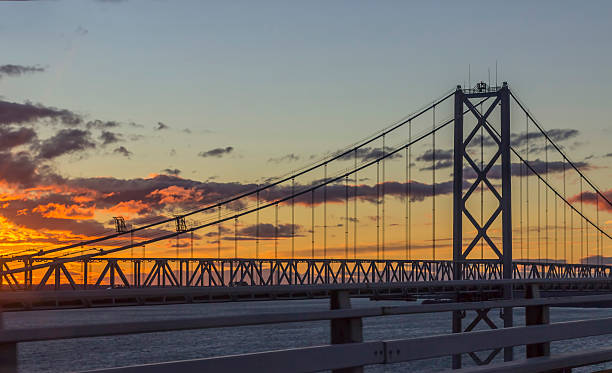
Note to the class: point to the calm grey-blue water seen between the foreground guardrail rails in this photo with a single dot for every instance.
(92, 353)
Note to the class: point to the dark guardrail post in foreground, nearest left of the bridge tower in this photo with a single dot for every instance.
(345, 330)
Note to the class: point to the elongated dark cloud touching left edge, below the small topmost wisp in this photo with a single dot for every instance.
(14, 113)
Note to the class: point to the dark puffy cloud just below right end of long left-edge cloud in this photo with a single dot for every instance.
(65, 141)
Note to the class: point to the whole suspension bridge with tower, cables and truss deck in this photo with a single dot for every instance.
(468, 198)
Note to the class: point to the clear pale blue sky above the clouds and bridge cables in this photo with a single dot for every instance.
(260, 77)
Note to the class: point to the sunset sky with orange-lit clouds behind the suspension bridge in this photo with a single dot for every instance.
(148, 108)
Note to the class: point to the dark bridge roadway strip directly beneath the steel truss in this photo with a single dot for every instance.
(468, 290)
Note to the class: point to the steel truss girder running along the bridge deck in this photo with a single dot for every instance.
(171, 272)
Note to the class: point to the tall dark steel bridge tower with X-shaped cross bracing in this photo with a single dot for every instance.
(501, 97)
